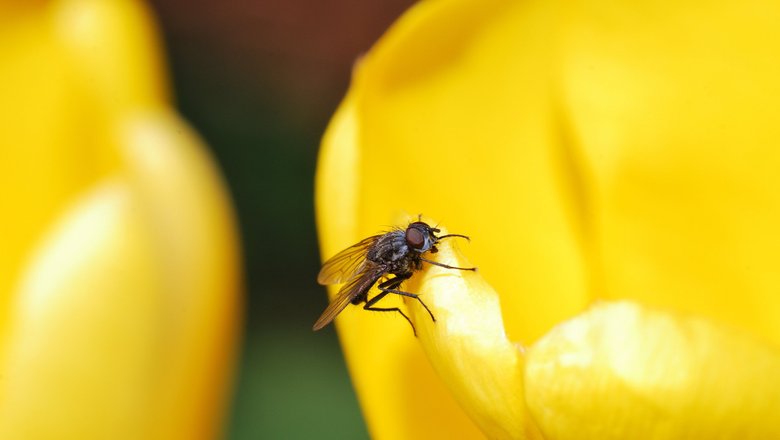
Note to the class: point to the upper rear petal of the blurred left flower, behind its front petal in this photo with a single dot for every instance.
(66, 69)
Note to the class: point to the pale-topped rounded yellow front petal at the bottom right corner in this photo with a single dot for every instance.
(623, 371)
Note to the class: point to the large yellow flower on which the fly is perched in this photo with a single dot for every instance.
(616, 165)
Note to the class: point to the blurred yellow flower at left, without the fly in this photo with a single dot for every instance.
(119, 263)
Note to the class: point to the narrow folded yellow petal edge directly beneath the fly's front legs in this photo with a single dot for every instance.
(468, 346)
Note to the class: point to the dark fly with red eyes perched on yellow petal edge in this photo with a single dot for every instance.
(388, 259)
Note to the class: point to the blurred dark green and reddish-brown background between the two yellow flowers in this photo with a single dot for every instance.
(259, 81)
